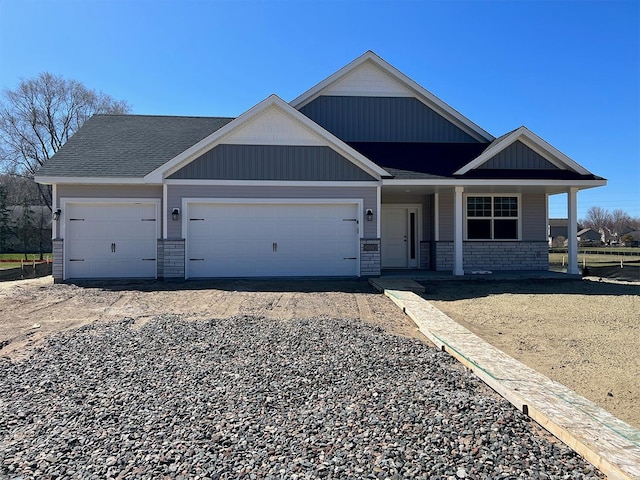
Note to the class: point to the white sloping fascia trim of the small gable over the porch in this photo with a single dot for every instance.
(532, 141)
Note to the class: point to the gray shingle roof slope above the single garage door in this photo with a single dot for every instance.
(129, 146)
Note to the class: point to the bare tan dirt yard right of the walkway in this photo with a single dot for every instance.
(584, 334)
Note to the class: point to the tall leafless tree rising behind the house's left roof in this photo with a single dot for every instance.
(40, 115)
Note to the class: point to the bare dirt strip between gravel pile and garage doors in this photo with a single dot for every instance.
(30, 310)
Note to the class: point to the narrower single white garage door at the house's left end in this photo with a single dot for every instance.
(110, 240)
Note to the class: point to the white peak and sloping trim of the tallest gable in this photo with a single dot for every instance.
(370, 75)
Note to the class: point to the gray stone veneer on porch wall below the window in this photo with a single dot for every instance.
(495, 256)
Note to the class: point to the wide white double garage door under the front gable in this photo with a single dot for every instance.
(249, 240)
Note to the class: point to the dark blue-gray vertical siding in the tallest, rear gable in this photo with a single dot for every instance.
(382, 119)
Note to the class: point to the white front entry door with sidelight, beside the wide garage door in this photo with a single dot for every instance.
(399, 242)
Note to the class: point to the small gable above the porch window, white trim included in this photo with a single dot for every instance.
(542, 153)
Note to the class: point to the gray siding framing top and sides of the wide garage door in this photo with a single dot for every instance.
(176, 193)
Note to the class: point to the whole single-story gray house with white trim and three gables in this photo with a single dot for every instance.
(365, 171)
